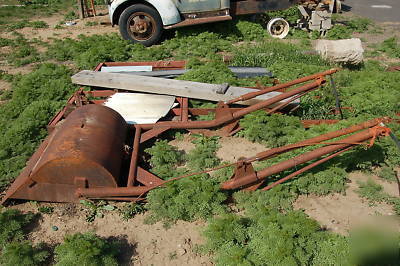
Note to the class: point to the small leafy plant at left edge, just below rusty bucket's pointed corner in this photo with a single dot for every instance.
(14, 225)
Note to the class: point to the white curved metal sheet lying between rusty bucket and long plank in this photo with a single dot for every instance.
(140, 108)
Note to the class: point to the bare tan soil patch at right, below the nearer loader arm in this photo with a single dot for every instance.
(341, 212)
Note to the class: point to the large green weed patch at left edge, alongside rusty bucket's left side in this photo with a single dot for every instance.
(36, 97)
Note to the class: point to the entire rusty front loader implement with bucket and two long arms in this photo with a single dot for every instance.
(92, 152)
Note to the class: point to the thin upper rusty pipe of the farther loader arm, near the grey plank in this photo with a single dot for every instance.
(251, 95)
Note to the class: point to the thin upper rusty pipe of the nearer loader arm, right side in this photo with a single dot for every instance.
(321, 138)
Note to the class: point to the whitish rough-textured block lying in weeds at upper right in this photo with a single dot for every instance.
(348, 51)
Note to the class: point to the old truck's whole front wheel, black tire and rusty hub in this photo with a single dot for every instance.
(141, 24)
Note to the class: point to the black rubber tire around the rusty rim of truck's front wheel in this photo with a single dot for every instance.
(126, 32)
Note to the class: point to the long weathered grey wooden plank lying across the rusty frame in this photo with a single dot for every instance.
(194, 90)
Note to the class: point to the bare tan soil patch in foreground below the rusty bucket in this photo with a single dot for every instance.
(143, 244)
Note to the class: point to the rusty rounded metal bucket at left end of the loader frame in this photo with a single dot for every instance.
(85, 151)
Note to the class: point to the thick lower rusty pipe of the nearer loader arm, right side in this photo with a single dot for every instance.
(282, 166)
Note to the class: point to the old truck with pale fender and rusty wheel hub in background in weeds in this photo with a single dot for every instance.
(143, 21)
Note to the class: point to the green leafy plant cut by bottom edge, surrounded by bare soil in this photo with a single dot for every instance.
(86, 249)
